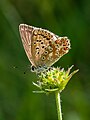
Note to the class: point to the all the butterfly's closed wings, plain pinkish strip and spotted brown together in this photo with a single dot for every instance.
(42, 47)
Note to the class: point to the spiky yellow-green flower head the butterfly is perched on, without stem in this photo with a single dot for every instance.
(54, 79)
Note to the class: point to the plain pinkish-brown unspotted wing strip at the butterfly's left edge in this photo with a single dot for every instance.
(26, 33)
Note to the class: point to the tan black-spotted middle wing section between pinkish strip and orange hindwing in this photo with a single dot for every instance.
(41, 40)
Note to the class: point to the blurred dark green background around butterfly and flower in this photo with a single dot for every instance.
(65, 18)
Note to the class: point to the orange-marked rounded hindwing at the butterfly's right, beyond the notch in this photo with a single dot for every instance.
(57, 49)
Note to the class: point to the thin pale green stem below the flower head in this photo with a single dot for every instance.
(58, 104)
